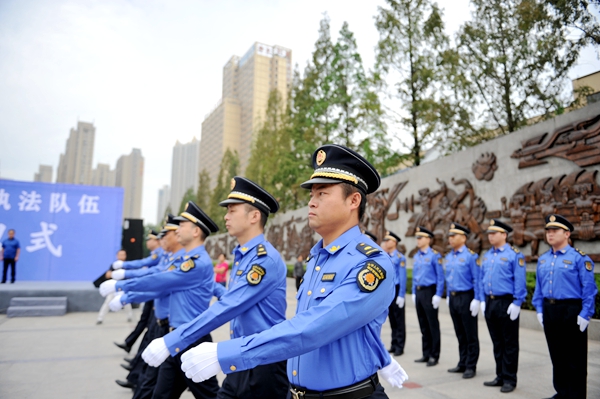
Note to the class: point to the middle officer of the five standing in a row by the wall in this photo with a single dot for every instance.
(463, 285)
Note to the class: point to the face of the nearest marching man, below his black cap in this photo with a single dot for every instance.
(328, 209)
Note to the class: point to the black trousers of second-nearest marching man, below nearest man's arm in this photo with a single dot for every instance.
(268, 381)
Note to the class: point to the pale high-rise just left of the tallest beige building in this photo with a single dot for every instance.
(184, 171)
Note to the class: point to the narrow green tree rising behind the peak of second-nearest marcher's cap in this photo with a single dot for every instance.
(229, 168)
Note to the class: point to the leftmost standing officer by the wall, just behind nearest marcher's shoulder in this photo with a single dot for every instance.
(396, 310)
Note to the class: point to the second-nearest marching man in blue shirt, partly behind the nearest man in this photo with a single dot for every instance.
(255, 300)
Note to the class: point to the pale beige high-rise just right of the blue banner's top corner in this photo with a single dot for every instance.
(129, 174)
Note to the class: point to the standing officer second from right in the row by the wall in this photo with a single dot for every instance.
(503, 286)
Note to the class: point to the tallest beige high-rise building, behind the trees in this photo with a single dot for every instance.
(247, 82)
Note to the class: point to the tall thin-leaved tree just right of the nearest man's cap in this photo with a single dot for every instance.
(411, 41)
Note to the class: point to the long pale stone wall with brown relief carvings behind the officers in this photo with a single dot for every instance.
(551, 167)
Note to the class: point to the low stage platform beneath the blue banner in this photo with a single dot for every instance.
(82, 296)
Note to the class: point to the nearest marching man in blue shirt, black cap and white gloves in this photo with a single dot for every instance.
(333, 342)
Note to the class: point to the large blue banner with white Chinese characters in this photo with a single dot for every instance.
(66, 232)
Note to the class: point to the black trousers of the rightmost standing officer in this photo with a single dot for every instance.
(567, 346)
